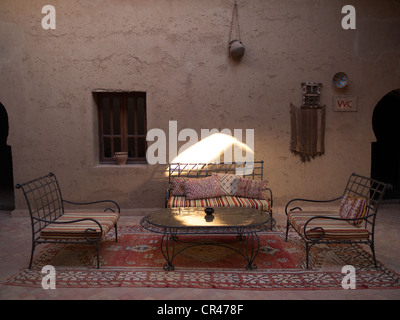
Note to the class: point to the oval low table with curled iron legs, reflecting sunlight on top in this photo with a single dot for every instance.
(176, 223)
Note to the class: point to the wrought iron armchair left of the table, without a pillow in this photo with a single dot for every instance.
(51, 224)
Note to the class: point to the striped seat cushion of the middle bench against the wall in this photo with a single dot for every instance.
(224, 201)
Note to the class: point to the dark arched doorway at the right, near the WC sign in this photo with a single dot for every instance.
(385, 162)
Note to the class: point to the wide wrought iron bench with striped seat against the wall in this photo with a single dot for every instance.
(178, 173)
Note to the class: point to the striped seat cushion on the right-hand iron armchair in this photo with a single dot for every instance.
(334, 229)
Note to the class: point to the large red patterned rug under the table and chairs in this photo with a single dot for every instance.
(136, 261)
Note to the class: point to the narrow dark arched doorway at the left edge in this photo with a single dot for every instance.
(6, 170)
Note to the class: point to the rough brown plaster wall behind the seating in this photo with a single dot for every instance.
(176, 51)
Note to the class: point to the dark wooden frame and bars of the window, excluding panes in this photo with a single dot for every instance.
(123, 135)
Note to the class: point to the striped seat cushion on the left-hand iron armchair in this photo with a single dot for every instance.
(76, 230)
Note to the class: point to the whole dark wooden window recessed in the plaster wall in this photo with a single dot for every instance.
(122, 125)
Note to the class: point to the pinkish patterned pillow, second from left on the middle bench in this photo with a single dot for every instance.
(203, 188)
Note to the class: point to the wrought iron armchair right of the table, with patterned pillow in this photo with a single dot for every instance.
(353, 222)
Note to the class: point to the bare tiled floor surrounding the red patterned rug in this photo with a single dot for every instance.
(15, 245)
